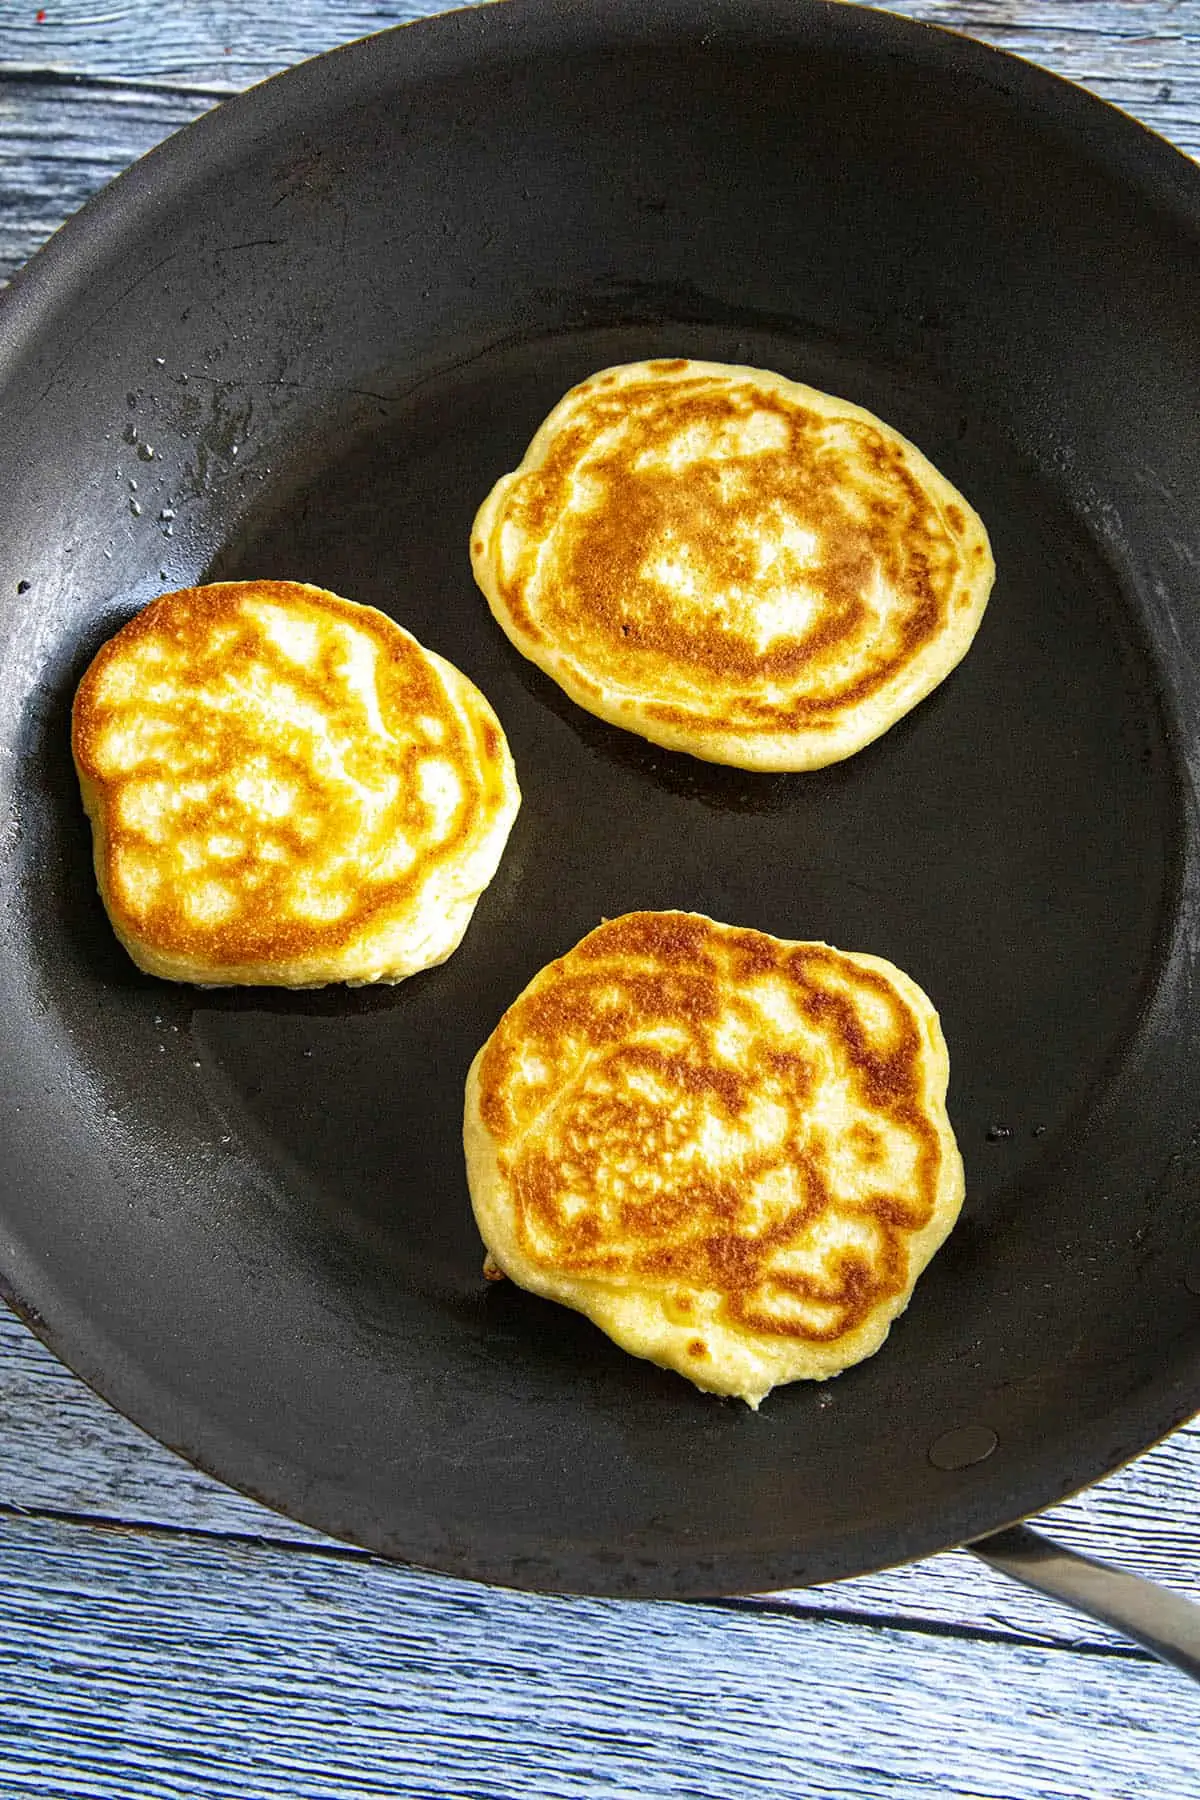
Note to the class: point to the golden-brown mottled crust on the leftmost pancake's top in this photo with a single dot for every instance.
(210, 631)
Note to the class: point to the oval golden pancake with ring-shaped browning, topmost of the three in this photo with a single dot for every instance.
(733, 564)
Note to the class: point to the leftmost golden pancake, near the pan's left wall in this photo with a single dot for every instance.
(287, 789)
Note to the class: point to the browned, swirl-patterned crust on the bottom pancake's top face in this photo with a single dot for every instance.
(582, 1133)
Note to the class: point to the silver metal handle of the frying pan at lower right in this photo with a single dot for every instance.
(1154, 1617)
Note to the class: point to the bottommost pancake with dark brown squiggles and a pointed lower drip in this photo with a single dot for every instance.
(726, 1149)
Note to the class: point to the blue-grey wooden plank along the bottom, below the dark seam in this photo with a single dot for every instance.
(310, 1678)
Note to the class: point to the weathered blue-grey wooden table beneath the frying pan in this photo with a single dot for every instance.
(165, 1639)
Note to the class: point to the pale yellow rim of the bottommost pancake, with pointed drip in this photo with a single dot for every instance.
(751, 1363)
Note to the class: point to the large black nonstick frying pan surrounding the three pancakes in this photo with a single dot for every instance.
(301, 341)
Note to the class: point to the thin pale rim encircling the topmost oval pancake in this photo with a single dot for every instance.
(758, 751)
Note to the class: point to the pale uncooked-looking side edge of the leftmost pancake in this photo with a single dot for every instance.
(395, 949)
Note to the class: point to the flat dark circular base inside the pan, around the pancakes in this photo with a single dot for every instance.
(1010, 845)
